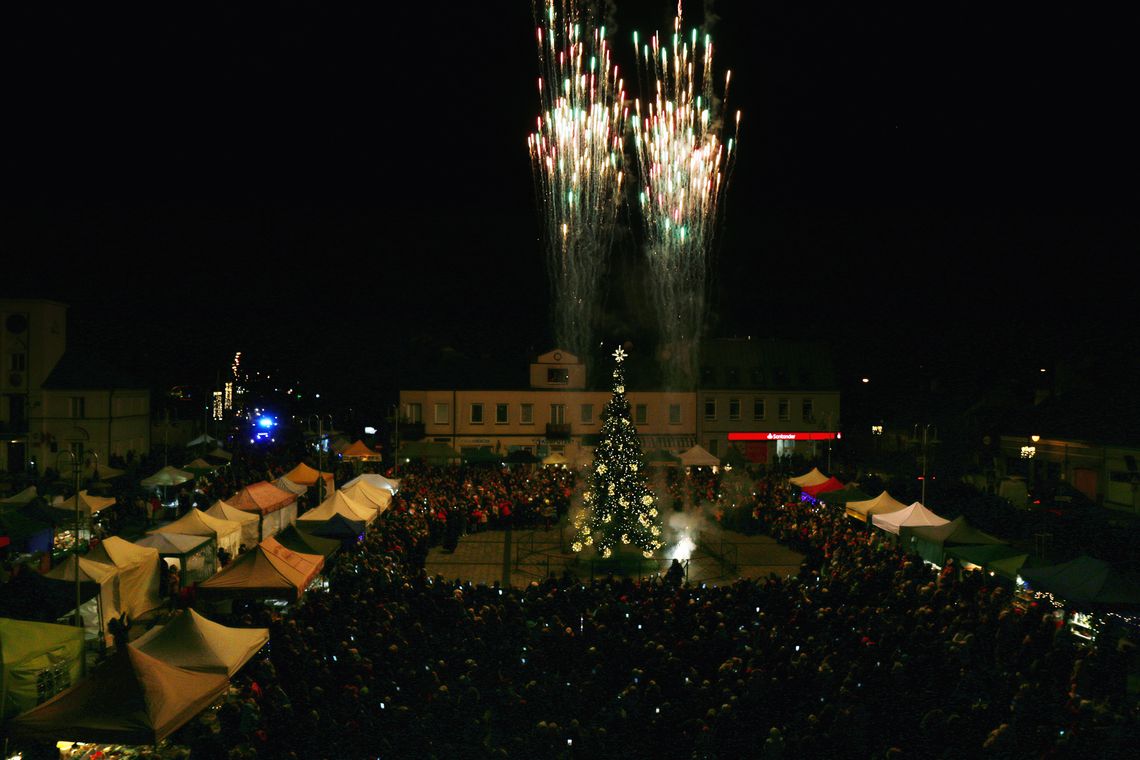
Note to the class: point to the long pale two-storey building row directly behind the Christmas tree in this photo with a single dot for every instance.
(557, 413)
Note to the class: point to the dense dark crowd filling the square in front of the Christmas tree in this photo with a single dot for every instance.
(866, 653)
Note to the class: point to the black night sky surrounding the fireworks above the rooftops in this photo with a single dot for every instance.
(345, 191)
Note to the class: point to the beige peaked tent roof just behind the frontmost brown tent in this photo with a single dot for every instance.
(197, 643)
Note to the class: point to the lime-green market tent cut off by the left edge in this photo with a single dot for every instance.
(29, 651)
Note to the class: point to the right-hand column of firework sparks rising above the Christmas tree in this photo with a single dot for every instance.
(683, 173)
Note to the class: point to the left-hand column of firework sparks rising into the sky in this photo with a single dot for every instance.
(577, 159)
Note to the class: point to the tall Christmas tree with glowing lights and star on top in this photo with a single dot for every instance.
(620, 509)
